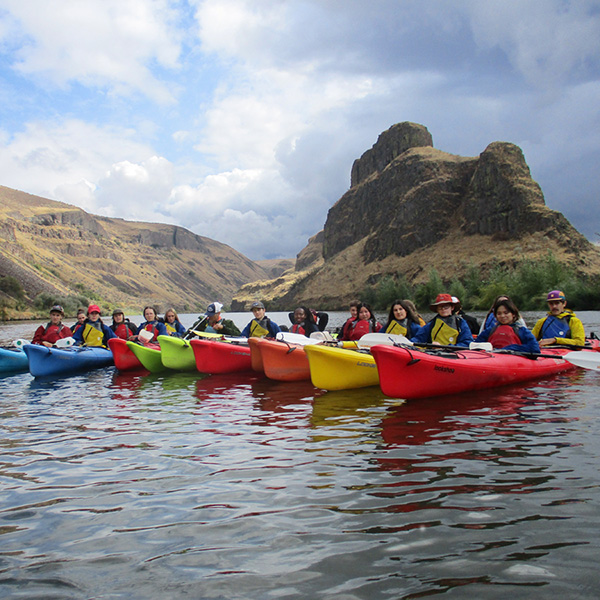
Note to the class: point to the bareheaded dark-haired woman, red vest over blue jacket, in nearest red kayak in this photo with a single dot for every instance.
(507, 333)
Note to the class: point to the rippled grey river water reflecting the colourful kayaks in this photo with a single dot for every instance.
(234, 487)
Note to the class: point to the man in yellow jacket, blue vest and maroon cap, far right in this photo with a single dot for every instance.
(560, 325)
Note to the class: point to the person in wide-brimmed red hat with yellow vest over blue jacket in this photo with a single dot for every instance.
(445, 329)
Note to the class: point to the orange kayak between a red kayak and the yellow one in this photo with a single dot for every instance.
(282, 361)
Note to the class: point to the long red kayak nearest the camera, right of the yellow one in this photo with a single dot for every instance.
(412, 373)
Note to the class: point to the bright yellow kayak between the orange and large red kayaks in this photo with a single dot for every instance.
(334, 368)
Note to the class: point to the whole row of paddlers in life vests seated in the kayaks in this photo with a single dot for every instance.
(503, 326)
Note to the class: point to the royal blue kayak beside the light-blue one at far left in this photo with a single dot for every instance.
(52, 362)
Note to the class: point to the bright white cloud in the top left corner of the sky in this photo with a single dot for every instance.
(109, 44)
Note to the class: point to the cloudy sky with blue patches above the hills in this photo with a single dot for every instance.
(240, 119)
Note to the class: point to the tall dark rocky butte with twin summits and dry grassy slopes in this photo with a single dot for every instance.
(411, 208)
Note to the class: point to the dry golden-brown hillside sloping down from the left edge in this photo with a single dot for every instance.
(59, 250)
